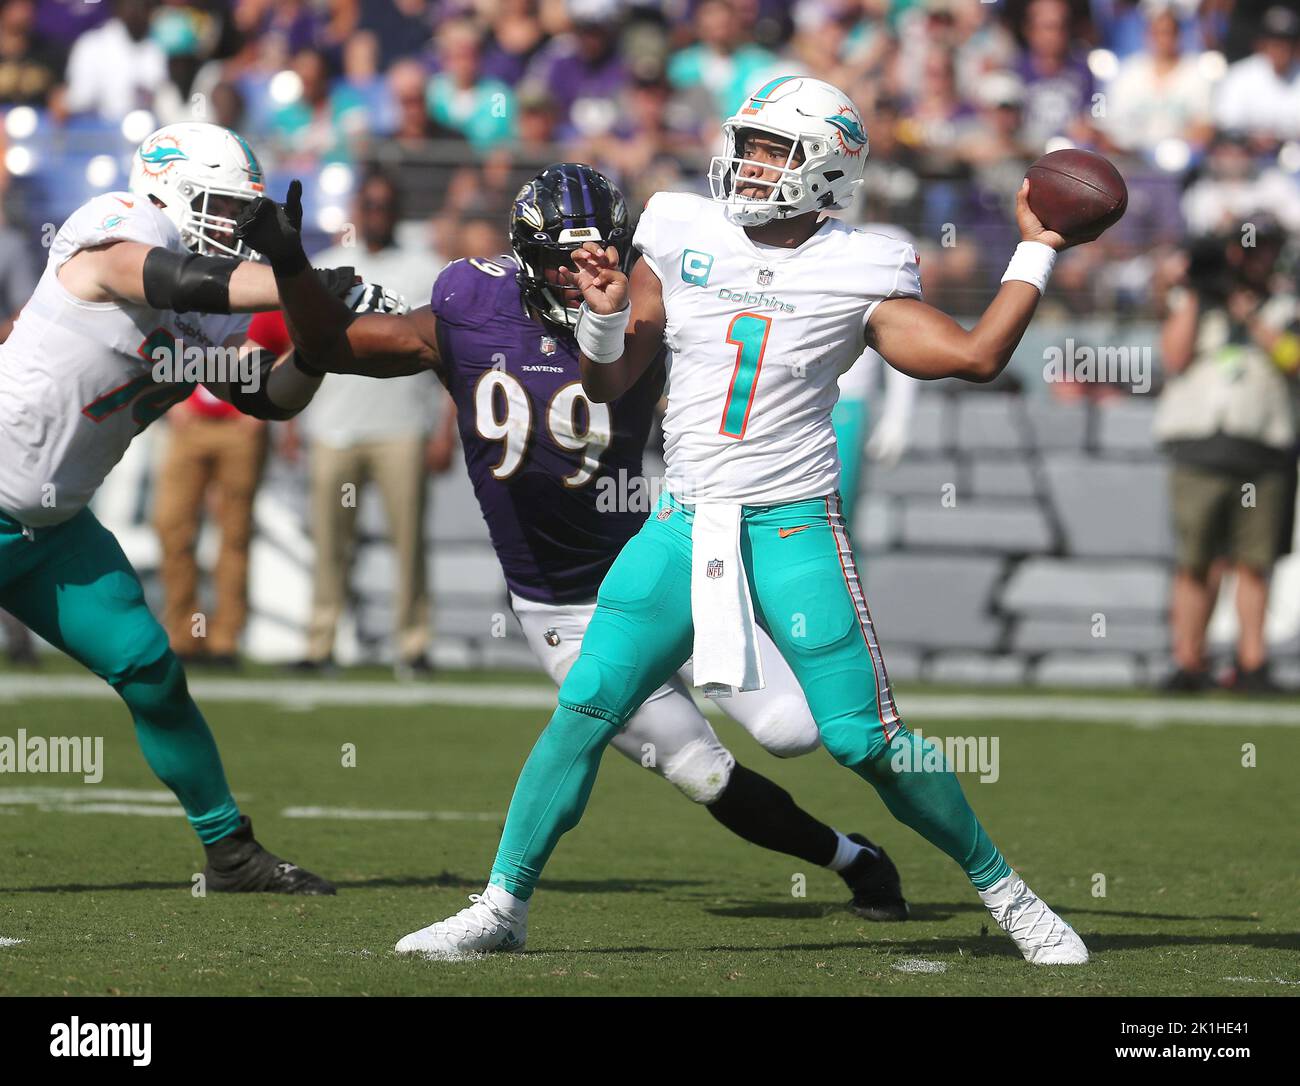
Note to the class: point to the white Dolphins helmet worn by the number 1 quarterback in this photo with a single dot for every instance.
(821, 123)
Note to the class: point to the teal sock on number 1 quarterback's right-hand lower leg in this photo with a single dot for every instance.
(931, 803)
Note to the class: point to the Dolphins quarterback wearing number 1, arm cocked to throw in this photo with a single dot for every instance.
(764, 304)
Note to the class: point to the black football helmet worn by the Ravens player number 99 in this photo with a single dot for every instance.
(566, 206)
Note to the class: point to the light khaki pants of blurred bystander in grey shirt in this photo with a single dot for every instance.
(398, 469)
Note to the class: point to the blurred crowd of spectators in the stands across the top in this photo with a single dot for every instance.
(1198, 102)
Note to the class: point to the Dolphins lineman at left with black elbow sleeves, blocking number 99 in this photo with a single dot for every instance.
(135, 282)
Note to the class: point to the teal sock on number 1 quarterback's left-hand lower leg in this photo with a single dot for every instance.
(551, 797)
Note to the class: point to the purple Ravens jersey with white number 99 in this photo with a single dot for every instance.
(551, 469)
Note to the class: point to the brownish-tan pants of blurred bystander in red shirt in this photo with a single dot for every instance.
(226, 456)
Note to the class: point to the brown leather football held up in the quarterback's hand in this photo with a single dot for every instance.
(1077, 193)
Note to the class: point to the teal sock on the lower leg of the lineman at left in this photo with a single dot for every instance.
(179, 746)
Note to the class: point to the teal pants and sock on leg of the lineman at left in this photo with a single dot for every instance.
(73, 586)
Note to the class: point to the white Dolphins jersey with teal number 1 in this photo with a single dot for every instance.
(759, 338)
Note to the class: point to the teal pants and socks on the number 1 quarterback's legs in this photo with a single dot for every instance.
(807, 595)
